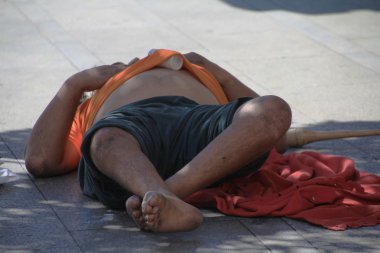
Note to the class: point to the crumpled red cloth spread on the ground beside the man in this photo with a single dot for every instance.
(322, 189)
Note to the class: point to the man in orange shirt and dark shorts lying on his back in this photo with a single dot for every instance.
(150, 136)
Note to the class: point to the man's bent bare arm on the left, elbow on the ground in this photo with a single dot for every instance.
(45, 148)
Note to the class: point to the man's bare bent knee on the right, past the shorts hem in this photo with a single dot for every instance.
(272, 112)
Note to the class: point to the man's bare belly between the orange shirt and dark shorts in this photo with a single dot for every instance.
(154, 83)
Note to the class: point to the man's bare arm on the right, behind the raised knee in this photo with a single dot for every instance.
(231, 85)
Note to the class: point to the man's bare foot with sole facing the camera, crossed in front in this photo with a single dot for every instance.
(166, 213)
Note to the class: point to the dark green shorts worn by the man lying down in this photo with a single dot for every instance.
(171, 131)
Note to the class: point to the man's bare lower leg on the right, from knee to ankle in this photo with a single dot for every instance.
(256, 127)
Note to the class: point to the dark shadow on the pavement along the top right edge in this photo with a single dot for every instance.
(307, 7)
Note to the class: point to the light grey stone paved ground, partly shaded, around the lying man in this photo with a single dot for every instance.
(322, 56)
